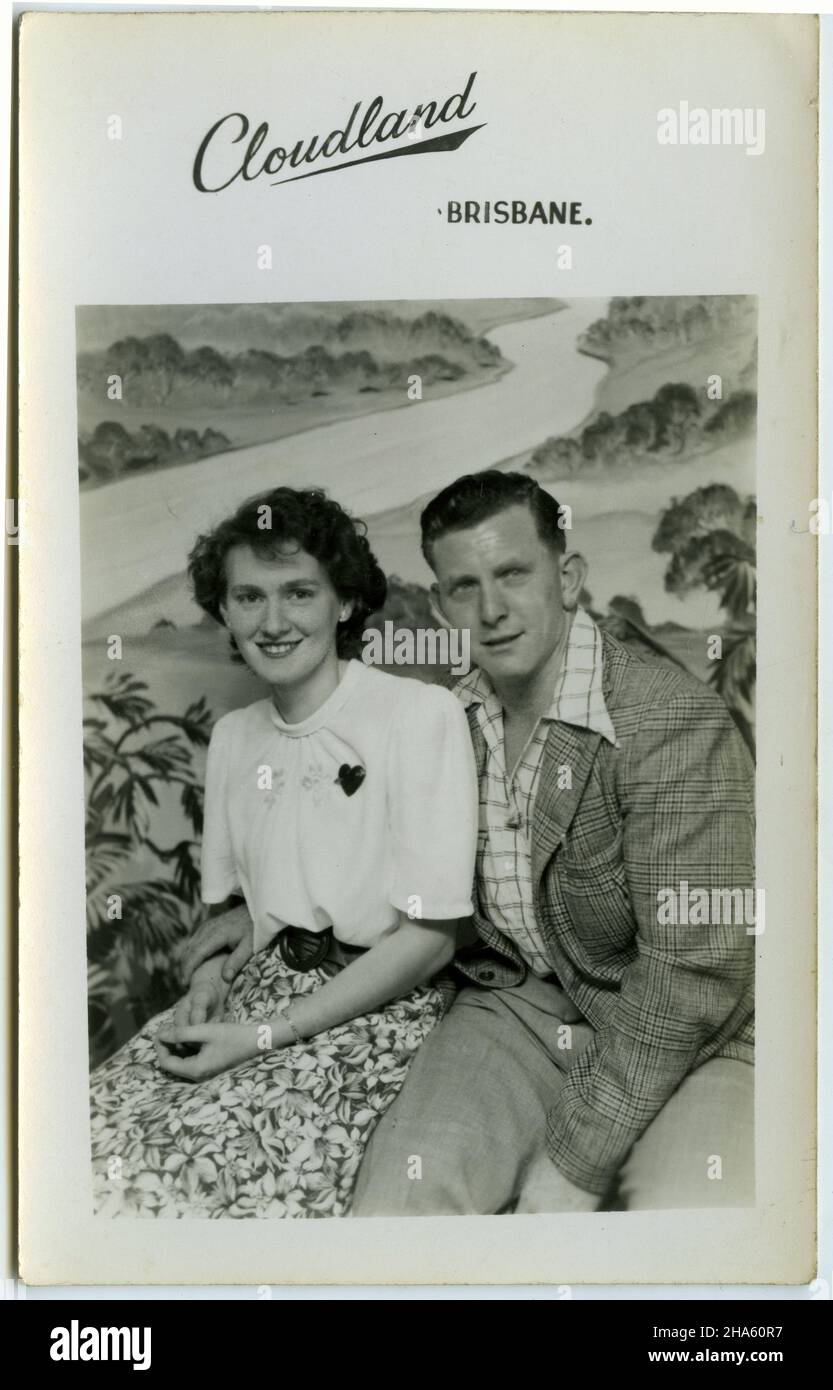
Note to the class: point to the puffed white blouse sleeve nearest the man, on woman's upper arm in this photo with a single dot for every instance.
(432, 807)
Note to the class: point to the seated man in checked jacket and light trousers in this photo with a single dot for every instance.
(603, 1042)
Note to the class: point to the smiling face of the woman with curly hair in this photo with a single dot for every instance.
(283, 614)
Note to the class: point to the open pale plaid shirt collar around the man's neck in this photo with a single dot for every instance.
(578, 697)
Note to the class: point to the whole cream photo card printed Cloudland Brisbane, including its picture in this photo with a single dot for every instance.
(579, 250)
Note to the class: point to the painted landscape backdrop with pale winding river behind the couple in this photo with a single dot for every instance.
(638, 414)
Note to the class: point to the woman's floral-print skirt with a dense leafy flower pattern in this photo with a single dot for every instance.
(279, 1136)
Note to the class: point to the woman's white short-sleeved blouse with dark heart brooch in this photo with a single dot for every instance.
(282, 829)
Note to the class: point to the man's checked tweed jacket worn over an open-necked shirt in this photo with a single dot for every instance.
(672, 806)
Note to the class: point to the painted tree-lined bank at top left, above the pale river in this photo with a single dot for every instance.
(155, 400)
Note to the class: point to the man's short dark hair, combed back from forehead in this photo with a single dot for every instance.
(480, 496)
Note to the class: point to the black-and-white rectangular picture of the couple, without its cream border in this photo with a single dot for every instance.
(419, 740)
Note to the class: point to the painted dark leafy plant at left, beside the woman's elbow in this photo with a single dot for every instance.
(136, 755)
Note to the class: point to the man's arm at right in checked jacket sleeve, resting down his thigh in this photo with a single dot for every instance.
(686, 789)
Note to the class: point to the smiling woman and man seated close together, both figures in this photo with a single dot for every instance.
(448, 989)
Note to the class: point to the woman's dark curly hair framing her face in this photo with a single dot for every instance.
(314, 522)
